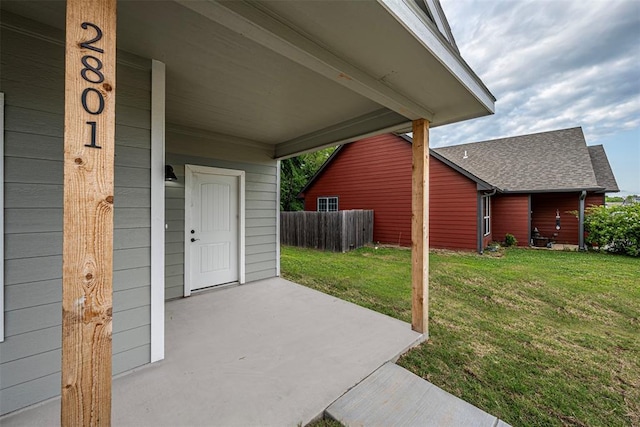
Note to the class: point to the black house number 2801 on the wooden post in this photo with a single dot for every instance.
(91, 73)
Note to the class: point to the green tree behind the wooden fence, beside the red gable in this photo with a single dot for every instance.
(294, 175)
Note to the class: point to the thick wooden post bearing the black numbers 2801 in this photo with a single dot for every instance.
(89, 137)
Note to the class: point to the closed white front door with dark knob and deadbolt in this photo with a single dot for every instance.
(212, 228)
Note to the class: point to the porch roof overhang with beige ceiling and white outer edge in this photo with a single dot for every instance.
(294, 75)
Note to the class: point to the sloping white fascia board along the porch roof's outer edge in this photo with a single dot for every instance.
(410, 16)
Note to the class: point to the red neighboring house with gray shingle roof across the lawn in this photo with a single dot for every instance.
(478, 192)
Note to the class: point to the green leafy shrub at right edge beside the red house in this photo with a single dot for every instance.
(616, 228)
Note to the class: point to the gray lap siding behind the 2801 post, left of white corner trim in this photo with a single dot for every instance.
(32, 79)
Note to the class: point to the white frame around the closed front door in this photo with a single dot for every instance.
(190, 170)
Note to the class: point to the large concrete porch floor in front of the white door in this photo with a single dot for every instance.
(266, 353)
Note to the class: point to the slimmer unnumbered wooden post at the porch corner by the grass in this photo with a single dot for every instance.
(420, 228)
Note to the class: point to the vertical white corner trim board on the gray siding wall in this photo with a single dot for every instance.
(157, 208)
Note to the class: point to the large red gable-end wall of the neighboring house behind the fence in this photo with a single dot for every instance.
(354, 176)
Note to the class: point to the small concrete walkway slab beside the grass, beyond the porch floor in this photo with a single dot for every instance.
(393, 396)
